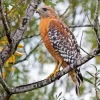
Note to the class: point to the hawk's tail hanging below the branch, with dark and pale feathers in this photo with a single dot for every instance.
(77, 79)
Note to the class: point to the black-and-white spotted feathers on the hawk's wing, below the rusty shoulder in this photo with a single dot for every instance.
(64, 45)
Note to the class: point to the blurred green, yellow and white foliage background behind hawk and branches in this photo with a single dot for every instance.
(32, 62)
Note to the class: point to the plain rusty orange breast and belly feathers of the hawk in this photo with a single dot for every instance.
(44, 25)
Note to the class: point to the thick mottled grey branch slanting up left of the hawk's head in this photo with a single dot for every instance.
(9, 49)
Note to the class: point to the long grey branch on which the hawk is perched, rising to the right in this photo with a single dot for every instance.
(29, 87)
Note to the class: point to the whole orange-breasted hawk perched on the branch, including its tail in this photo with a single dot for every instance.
(60, 42)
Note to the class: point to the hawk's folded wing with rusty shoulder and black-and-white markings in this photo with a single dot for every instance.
(63, 42)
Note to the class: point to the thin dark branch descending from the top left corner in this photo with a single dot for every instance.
(4, 21)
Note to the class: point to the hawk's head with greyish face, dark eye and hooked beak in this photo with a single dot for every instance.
(46, 11)
